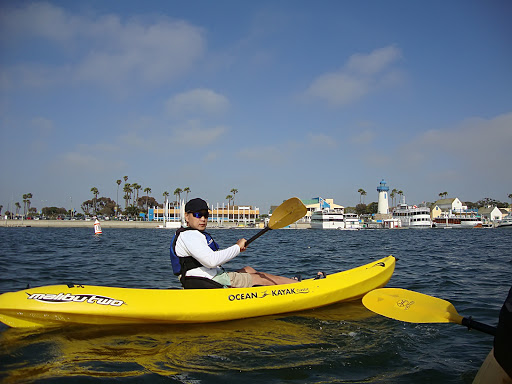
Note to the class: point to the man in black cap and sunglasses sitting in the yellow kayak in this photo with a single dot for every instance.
(197, 259)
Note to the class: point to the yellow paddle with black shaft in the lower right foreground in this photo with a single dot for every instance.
(413, 307)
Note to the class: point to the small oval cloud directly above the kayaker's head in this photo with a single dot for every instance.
(197, 102)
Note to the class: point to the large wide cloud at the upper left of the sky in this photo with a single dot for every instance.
(104, 51)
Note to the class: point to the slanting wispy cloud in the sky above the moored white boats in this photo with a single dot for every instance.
(361, 75)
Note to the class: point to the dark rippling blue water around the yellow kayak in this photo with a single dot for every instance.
(343, 343)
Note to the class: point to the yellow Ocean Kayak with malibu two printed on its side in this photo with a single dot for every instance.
(59, 305)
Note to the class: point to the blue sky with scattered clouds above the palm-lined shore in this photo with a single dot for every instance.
(272, 98)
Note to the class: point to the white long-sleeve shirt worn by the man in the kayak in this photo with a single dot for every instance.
(193, 243)
